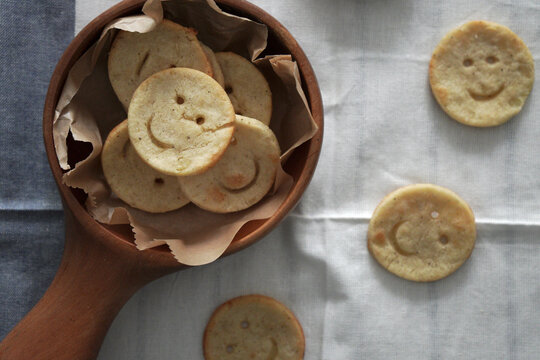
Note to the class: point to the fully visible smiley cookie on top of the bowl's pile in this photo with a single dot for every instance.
(180, 121)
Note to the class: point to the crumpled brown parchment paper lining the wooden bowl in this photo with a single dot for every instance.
(89, 109)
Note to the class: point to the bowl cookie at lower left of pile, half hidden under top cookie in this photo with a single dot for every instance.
(133, 181)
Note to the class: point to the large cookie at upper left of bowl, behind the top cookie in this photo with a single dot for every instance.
(135, 56)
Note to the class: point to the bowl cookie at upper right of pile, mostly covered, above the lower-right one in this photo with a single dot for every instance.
(247, 87)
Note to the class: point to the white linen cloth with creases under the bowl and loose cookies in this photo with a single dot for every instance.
(383, 129)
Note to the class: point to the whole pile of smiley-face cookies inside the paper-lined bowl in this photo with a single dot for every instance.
(197, 128)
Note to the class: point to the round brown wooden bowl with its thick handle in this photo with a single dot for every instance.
(101, 267)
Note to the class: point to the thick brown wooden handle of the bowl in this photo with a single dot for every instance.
(71, 320)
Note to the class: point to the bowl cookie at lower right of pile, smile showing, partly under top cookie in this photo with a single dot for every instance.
(244, 174)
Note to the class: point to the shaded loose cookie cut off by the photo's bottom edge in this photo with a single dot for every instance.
(253, 327)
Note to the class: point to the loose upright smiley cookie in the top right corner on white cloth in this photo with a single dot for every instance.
(481, 74)
